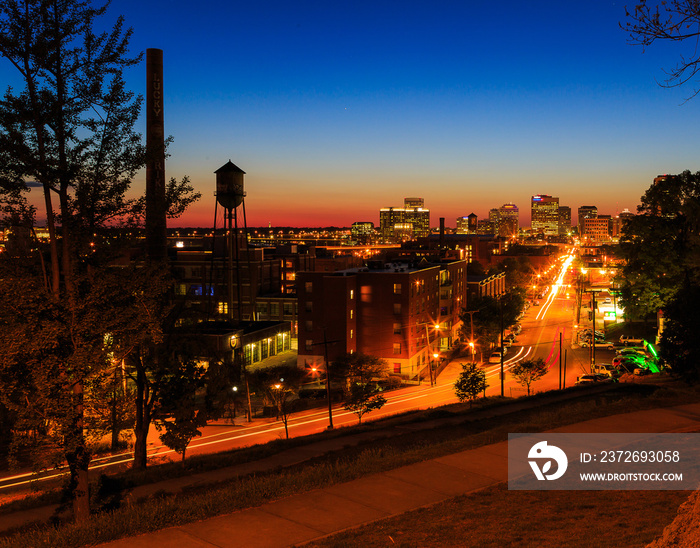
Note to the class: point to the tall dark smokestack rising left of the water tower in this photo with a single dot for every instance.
(156, 227)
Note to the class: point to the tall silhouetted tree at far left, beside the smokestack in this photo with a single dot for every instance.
(70, 128)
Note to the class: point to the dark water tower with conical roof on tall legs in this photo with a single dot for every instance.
(230, 194)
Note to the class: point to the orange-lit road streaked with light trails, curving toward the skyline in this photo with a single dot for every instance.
(544, 329)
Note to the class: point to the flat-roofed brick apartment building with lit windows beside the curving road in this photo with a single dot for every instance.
(401, 312)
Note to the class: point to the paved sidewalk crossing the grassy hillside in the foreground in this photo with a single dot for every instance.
(312, 515)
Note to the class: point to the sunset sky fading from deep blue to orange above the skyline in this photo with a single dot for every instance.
(335, 109)
